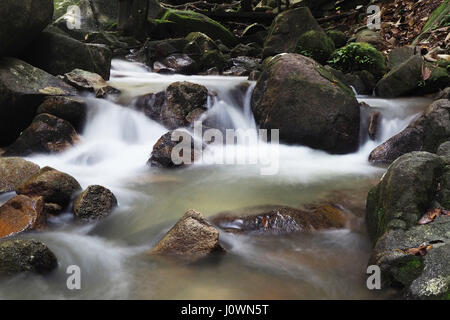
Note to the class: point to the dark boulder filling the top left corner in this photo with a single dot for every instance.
(21, 22)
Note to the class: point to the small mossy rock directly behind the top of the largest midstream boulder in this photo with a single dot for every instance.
(316, 45)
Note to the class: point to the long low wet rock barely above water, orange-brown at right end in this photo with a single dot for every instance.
(282, 219)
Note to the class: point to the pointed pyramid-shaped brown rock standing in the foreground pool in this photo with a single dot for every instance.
(191, 238)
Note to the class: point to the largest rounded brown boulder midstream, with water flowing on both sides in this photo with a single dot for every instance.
(307, 104)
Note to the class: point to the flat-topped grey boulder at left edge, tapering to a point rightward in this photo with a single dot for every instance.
(22, 89)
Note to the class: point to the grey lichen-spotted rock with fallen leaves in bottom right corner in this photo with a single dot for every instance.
(419, 277)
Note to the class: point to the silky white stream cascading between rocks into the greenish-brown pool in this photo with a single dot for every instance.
(113, 253)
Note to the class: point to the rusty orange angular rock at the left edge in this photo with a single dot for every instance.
(21, 214)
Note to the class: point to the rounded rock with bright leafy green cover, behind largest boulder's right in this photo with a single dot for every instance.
(357, 57)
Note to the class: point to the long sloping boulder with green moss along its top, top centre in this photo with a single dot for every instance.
(181, 23)
